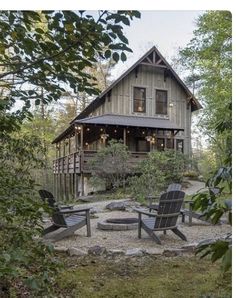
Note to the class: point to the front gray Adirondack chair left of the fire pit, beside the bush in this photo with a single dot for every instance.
(76, 219)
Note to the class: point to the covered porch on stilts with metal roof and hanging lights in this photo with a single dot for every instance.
(80, 142)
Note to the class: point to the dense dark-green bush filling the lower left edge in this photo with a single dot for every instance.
(23, 256)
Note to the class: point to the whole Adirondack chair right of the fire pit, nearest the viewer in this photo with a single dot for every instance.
(165, 218)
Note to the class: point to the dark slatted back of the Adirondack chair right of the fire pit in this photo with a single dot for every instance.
(169, 209)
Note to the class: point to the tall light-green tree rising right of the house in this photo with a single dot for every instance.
(209, 58)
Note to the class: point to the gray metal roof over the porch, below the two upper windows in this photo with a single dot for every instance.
(122, 120)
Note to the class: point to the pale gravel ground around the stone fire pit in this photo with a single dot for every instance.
(128, 239)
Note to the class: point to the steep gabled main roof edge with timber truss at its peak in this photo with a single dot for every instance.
(152, 57)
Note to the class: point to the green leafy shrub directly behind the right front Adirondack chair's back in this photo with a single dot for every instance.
(156, 172)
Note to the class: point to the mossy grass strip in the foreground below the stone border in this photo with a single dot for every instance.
(143, 277)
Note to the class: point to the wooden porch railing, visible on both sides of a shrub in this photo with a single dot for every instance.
(78, 162)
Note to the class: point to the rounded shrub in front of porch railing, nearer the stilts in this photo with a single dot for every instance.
(110, 165)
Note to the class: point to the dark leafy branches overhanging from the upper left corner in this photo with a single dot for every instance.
(53, 50)
